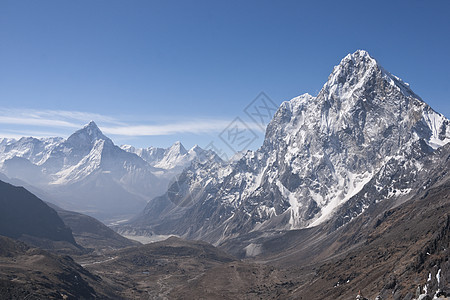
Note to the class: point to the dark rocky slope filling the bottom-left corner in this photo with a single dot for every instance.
(31, 273)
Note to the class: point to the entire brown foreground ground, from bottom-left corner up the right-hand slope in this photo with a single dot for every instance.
(389, 249)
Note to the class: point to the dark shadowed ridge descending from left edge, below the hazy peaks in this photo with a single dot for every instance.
(26, 218)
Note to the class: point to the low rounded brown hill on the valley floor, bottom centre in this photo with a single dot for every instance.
(180, 269)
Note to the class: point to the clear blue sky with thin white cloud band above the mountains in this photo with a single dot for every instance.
(154, 72)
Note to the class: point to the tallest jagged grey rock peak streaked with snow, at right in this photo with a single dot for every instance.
(318, 153)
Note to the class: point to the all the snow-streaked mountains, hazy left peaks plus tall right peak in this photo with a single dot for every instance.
(319, 154)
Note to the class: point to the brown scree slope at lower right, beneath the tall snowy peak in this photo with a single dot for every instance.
(398, 252)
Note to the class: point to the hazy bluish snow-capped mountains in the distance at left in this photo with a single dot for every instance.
(88, 173)
